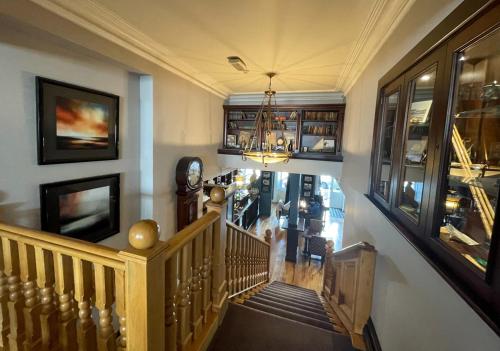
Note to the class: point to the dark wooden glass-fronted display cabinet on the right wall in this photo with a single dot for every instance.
(436, 153)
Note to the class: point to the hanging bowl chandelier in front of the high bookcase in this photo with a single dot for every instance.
(266, 146)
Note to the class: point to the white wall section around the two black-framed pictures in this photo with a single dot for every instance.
(21, 60)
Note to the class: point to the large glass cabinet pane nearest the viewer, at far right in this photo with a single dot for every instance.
(473, 173)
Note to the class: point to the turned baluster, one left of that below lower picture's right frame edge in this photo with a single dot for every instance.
(86, 333)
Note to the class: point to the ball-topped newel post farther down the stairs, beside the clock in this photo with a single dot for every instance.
(218, 203)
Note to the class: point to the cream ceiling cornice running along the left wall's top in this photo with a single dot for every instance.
(101, 21)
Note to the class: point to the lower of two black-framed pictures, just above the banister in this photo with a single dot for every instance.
(86, 209)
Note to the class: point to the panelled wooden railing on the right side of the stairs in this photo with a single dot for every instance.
(348, 286)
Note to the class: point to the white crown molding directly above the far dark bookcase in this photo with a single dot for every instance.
(283, 98)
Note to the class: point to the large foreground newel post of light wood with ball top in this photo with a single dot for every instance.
(145, 287)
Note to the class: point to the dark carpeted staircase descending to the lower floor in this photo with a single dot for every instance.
(279, 317)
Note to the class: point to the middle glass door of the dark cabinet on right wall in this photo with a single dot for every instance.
(414, 162)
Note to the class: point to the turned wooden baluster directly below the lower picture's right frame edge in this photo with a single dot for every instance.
(103, 302)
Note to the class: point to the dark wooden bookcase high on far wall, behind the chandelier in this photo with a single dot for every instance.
(312, 131)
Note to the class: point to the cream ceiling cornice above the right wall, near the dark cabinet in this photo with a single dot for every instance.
(384, 17)
